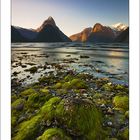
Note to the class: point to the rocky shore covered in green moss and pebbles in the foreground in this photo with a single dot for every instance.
(69, 106)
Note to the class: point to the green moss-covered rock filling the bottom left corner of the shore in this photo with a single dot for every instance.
(28, 130)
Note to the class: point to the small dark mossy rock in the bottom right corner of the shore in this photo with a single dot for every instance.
(124, 134)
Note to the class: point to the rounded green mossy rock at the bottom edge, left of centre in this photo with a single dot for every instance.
(54, 134)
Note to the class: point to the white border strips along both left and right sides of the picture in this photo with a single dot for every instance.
(6, 69)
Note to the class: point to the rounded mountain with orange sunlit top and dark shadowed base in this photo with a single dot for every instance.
(101, 34)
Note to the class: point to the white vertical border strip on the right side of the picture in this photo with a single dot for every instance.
(134, 69)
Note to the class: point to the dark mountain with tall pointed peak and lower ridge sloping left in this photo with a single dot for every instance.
(47, 32)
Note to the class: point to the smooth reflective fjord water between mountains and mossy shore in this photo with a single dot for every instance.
(101, 60)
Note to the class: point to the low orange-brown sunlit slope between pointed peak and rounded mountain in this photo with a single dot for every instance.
(82, 36)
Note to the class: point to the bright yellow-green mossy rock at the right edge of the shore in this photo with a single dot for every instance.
(121, 102)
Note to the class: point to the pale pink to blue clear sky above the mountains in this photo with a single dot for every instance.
(71, 16)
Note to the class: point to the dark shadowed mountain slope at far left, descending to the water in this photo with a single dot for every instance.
(16, 36)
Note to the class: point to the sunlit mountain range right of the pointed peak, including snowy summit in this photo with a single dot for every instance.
(100, 33)
